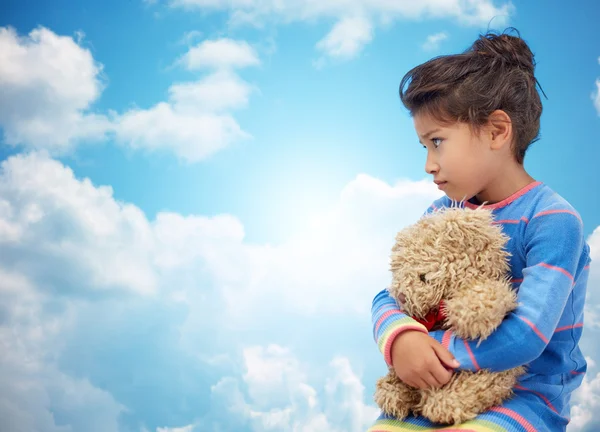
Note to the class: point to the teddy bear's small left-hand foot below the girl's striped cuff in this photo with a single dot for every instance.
(394, 397)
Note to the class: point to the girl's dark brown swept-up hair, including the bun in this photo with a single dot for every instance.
(495, 73)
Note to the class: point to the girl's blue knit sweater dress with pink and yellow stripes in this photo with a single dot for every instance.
(550, 266)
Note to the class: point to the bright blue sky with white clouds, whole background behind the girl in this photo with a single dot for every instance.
(197, 200)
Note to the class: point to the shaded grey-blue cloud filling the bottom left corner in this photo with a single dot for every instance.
(36, 395)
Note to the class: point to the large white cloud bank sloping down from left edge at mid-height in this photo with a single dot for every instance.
(50, 220)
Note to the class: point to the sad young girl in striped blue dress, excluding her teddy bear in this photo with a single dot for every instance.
(476, 113)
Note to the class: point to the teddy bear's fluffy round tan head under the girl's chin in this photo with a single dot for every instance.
(432, 257)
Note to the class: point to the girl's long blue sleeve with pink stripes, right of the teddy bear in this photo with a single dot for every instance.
(554, 251)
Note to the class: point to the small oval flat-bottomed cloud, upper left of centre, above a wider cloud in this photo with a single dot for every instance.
(220, 53)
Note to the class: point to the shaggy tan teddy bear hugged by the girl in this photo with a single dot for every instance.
(450, 271)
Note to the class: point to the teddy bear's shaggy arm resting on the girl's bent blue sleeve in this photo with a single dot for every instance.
(478, 308)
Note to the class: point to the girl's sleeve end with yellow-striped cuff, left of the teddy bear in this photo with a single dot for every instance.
(388, 322)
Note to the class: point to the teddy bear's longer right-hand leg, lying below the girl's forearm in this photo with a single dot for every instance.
(467, 395)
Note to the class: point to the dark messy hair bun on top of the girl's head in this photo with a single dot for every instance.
(510, 50)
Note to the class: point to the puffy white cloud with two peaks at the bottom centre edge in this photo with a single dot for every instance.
(281, 398)
